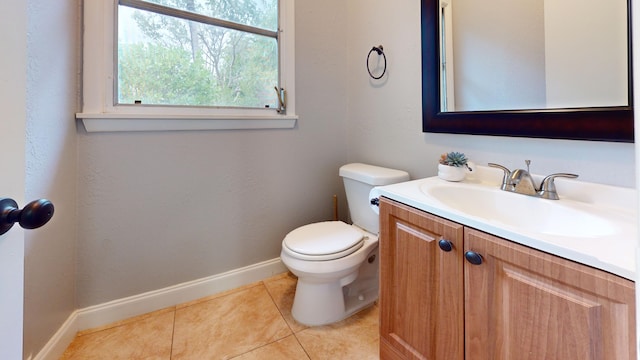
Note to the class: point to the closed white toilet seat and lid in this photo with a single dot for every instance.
(323, 241)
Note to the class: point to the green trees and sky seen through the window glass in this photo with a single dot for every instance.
(165, 57)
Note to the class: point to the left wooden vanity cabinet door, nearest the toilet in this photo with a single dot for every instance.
(421, 289)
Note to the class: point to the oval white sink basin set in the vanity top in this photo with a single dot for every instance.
(552, 217)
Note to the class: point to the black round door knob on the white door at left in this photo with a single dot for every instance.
(33, 215)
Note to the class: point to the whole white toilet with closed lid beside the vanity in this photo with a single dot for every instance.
(336, 263)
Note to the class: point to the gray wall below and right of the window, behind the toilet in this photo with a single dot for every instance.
(158, 209)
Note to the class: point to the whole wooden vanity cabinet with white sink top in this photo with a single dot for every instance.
(457, 286)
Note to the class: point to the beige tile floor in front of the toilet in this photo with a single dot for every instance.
(251, 322)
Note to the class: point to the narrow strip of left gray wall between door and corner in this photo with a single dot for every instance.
(52, 99)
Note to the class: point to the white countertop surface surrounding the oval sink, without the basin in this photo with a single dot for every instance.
(613, 252)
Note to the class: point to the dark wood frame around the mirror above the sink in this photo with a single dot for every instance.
(597, 123)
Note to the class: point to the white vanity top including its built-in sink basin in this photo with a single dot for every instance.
(592, 224)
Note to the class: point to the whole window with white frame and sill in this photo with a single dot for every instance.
(188, 65)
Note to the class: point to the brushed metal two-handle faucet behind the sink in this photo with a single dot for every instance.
(520, 181)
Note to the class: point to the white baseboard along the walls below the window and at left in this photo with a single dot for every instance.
(107, 313)
